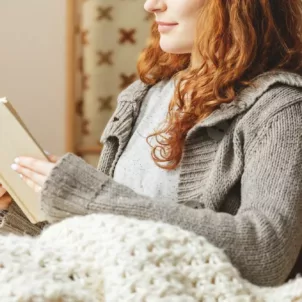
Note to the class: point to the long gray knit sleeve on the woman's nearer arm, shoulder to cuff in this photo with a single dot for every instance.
(262, 240)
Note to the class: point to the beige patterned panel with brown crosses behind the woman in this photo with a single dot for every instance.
(110, 34)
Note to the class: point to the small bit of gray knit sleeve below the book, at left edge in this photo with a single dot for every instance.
(14, 221)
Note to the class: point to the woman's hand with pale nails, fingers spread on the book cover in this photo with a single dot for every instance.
(34, 171)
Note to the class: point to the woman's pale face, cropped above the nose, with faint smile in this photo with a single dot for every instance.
(176, 23)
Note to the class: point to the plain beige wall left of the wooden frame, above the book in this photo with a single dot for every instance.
(32, 66)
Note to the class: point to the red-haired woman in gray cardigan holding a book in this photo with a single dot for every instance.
(225, 160)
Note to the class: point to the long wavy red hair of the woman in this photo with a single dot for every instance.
(235, 41)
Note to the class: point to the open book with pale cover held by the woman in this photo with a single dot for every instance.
(16, 140)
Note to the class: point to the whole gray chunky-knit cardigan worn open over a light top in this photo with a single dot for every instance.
(241, 188)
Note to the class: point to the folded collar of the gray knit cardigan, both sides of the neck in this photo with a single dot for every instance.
(131, 98)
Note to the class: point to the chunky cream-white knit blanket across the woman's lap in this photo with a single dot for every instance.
(111, 258)
